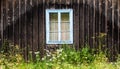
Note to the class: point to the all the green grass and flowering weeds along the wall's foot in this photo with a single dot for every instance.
(63, 58)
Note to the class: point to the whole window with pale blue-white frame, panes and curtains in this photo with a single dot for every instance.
(59, 26)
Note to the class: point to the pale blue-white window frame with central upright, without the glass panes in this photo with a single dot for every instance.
(59, 11)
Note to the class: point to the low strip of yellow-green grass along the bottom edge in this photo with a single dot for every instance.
(64, 65)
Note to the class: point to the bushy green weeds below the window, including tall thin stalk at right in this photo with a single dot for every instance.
(70, 55)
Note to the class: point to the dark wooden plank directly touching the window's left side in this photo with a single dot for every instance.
(42, 29)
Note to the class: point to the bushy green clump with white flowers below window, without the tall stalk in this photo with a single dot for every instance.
(69, 55)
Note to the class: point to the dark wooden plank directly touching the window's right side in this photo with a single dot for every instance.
(76, 25)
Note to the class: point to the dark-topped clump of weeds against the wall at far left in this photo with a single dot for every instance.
(10, 53)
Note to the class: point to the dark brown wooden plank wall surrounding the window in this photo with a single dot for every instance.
(23, 22)
